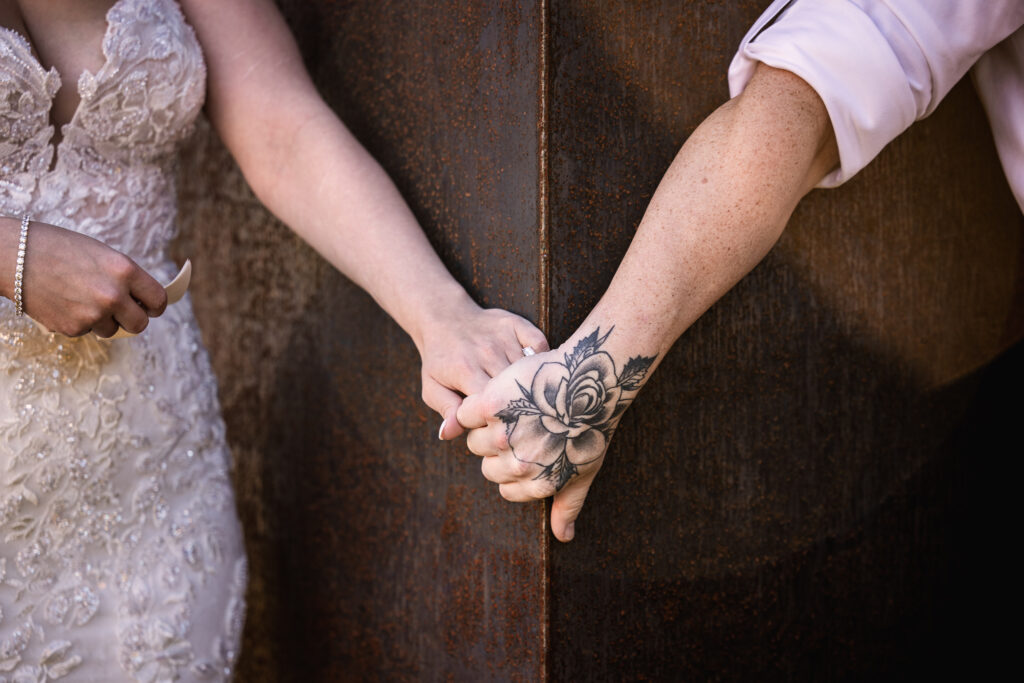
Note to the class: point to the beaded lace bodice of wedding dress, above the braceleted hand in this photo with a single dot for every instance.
(110, 177)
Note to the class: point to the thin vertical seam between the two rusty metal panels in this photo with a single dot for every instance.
(544, 313)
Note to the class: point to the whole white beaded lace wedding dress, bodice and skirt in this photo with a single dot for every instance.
(121, 556)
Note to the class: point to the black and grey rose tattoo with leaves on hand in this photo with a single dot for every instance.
(567, 416)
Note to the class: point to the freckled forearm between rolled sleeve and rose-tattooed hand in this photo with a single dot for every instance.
(720, 208)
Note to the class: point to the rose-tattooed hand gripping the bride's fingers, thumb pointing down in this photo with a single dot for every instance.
(543, 425)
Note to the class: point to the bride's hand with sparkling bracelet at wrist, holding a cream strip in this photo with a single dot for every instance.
(74, 284)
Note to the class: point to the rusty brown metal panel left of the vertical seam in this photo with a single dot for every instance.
(377, 552)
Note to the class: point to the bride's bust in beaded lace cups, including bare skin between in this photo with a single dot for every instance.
(127, 88)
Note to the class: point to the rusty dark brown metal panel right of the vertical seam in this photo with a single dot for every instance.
(802, 491)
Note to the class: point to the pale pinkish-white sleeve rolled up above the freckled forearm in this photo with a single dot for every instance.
(878, 66)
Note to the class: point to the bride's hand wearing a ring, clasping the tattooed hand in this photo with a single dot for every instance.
(463, 348)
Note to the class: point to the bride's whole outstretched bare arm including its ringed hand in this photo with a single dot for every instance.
(309, 169)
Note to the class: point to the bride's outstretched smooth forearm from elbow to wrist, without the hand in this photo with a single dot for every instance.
(325, 186)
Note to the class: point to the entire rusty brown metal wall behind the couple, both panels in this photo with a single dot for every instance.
(808, 490)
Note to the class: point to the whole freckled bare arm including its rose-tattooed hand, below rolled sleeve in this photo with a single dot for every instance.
(719, 209)
